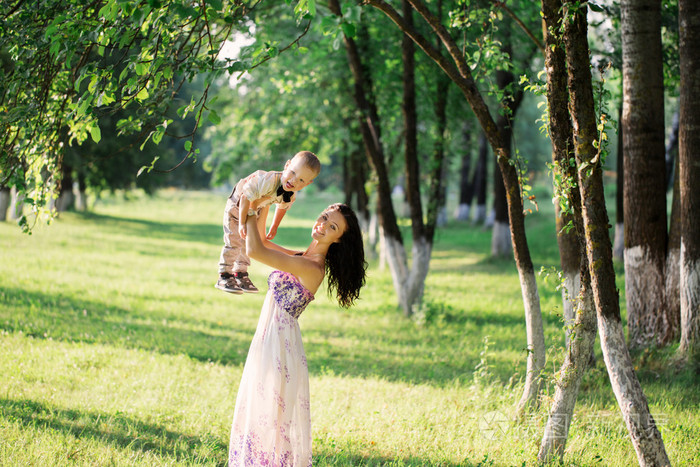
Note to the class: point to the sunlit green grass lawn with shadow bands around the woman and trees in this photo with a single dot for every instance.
(115, 349)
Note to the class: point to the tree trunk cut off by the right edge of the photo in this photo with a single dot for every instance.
(689, 171)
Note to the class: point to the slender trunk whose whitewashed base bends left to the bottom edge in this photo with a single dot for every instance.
(579, 310)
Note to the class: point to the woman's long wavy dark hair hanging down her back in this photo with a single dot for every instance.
(345, 261)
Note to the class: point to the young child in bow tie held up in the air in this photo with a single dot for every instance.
(253, 195)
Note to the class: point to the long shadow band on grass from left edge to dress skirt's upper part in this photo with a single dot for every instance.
(74, 320)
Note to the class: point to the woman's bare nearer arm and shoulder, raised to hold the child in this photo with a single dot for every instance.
(310, 273)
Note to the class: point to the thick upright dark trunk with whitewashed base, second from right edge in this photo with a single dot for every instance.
(645, 180)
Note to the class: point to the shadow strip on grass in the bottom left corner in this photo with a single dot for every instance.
(117, 430)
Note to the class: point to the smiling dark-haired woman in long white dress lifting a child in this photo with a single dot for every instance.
(271, 421)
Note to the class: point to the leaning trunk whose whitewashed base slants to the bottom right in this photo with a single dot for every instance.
(644, 434)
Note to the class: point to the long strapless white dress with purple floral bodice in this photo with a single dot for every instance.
(271, 421)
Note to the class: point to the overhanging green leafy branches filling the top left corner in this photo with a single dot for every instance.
(66, 64)
